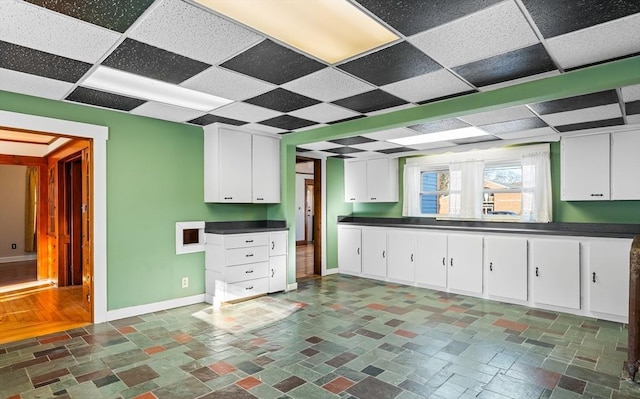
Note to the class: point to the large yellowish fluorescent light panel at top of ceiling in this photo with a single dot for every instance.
(331, 30)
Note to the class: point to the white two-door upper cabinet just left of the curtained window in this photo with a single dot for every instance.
(371, 180)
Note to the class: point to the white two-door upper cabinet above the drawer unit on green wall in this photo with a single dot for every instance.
(240, 167)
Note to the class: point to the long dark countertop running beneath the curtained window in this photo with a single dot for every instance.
(564, 229)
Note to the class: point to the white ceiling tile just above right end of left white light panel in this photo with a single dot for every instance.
(226, 84)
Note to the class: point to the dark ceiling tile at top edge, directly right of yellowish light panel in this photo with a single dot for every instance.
(410, 16)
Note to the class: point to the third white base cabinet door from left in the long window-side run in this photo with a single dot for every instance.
(402, 257)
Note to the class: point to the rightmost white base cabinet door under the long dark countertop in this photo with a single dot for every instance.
(609, 276)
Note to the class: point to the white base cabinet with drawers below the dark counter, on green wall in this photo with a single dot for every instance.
(239, 266)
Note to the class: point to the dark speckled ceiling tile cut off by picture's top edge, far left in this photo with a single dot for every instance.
(114, 15)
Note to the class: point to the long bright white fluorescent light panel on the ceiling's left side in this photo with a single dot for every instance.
(128, 84)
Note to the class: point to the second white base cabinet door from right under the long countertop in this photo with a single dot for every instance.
(556, 272)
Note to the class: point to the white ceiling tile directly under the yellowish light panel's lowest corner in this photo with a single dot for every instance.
(328, 85)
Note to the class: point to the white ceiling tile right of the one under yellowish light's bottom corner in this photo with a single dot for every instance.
(429, 86)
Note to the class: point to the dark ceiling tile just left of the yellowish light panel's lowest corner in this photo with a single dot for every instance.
(271, 62)
